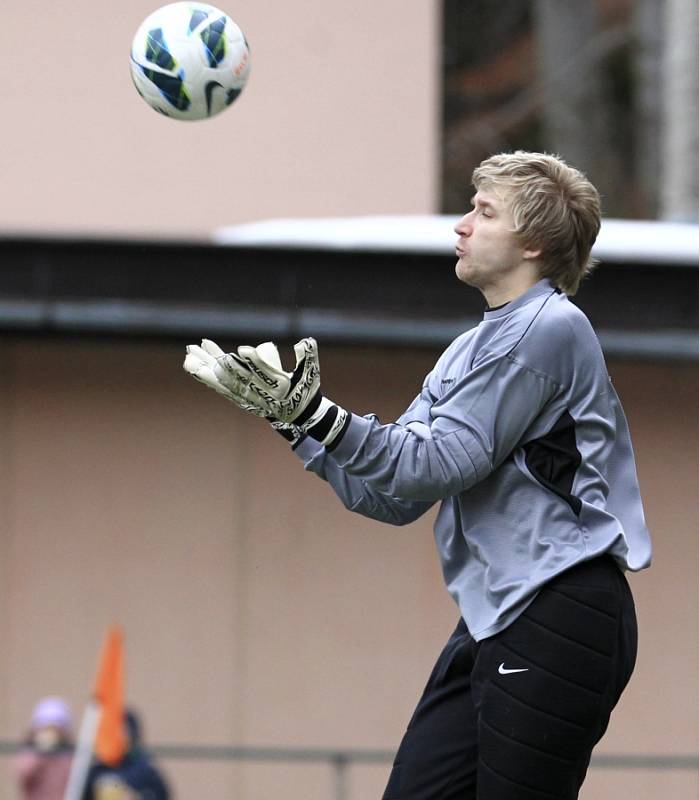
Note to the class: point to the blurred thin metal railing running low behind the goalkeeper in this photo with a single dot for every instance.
(339, 760)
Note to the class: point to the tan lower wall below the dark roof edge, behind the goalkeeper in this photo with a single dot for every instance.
(257, 611)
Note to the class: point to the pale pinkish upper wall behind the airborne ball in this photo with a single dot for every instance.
(340, 116)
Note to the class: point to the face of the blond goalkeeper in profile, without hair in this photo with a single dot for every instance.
(487, 248)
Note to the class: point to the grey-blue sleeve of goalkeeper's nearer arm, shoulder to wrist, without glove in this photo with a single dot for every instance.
(474, 429)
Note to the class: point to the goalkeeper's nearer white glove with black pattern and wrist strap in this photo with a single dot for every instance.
(255, 376)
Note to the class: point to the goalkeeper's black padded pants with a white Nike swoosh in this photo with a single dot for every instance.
(515, 716)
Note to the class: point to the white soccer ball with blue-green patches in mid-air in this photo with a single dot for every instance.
(189, 60)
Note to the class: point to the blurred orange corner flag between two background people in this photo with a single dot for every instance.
(111, 744)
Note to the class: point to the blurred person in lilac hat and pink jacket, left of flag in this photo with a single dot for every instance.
(42, 766)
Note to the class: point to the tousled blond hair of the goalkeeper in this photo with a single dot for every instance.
(555, 209)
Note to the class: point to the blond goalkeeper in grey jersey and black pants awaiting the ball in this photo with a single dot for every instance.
(519, 435)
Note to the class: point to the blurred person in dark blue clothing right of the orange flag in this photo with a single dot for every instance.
(135, 778)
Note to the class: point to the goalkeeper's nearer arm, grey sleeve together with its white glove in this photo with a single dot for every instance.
(473, 427)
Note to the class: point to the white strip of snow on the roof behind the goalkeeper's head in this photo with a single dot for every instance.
(619, 240)
